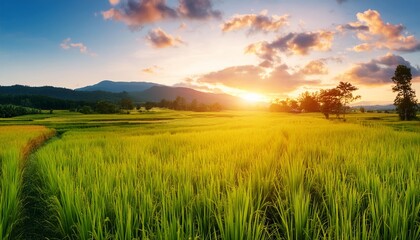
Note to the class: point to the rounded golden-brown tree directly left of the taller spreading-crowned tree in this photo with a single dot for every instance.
(330, 101)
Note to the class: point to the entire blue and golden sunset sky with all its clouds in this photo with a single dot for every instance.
(260, 49)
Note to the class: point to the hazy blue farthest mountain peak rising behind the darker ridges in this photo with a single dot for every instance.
(117, 87)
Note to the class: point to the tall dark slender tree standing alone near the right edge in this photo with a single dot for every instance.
(405, 100)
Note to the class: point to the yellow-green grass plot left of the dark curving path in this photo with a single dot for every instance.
(16, 143)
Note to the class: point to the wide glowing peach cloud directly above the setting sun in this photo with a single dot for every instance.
(256, 79)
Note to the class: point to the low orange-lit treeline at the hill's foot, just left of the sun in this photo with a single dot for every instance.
(181, 104)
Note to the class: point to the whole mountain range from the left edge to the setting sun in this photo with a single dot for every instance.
(115, 91)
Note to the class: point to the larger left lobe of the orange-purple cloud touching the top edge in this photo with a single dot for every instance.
(136, 13)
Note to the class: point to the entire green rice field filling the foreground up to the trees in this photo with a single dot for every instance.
(228, 175)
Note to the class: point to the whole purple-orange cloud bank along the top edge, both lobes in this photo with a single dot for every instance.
(137, 13)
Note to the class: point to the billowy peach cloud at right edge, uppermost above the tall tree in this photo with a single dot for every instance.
(378, 34)
